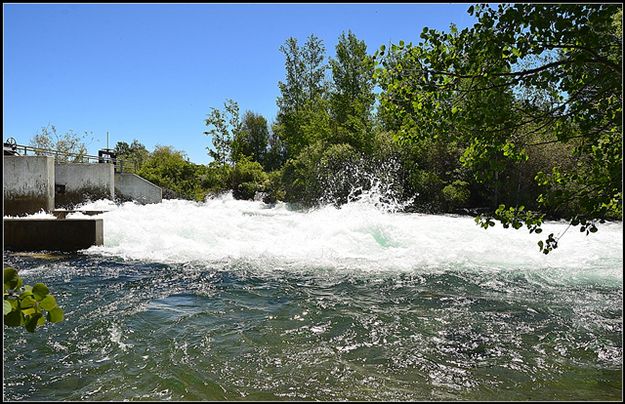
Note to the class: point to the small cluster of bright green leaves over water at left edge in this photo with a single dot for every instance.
(28, 306)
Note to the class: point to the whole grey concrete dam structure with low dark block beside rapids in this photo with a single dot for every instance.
(33, 184)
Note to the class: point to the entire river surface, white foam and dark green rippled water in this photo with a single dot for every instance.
(239, 300)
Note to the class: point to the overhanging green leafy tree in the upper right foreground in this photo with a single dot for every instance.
(471, 86)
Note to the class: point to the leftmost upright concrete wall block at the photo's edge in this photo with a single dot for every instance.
(28, 184)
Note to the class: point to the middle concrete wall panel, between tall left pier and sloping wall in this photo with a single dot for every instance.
(79, 182)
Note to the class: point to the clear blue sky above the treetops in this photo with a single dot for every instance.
(153, 71)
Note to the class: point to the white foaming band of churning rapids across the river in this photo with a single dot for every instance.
(358, 235)
